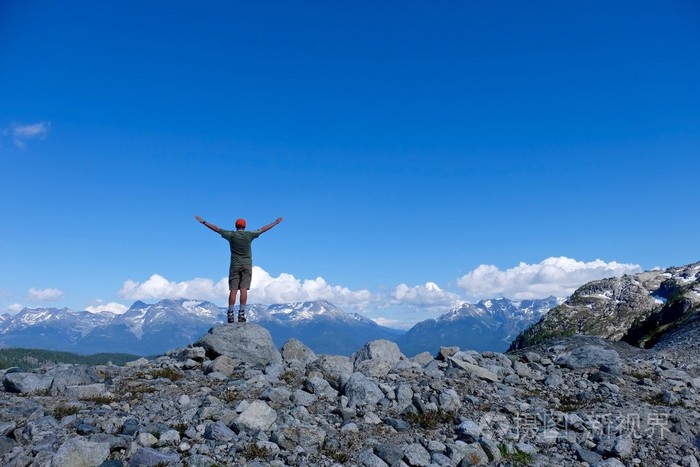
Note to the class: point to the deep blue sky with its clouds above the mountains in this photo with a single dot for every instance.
(421, 154)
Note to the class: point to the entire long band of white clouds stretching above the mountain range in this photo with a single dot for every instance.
(403, 306)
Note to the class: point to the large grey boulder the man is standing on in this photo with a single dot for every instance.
(249, 343)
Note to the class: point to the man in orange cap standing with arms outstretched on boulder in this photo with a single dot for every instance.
(241, 270)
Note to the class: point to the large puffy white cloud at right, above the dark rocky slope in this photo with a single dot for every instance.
(554, 276)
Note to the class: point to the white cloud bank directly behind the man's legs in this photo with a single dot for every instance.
(264, 289)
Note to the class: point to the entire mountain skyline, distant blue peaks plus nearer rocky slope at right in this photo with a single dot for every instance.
(640, 309)
